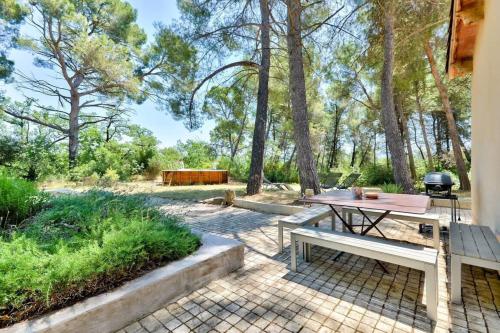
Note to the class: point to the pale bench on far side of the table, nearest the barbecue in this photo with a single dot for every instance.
(428, 218)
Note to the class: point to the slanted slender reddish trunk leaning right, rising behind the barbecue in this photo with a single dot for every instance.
(452, 127)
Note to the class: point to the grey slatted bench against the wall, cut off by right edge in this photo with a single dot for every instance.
(472, 245)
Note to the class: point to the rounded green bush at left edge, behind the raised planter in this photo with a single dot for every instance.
(19, 199)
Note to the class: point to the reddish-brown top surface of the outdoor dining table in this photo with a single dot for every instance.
(403, 203)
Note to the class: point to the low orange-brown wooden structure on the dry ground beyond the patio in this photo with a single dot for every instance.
(194, 177)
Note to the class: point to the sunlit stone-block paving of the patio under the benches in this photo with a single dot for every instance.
(348, 295)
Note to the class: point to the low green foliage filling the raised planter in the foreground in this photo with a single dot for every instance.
(82, 245)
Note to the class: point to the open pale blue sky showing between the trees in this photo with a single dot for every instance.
(163, 126)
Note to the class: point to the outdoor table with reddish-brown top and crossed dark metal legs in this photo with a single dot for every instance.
(386, 203)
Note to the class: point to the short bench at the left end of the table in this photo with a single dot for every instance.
(308, 216)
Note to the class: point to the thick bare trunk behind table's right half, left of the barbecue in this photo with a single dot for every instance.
(394, 140)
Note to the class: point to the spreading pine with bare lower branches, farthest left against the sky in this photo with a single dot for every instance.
(97, 53)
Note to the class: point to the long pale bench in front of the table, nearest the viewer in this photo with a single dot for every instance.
(409, 255)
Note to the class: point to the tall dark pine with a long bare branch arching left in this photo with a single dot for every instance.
(221, 27)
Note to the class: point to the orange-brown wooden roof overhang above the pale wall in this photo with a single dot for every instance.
(465, 19)
